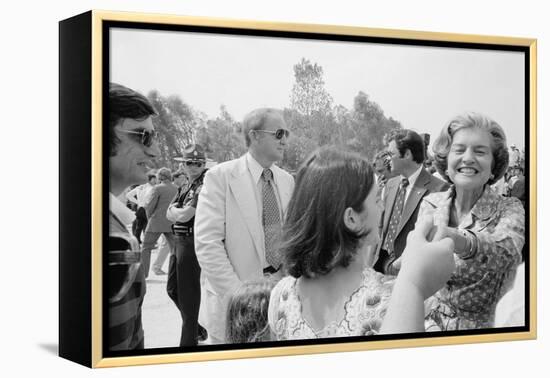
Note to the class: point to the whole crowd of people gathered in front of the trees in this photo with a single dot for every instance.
(409, 243)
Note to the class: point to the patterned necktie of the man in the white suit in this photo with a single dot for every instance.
(271, 220)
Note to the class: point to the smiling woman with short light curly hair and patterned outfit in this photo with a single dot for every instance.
(488, 230)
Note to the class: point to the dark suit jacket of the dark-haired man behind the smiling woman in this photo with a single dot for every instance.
(424, 185)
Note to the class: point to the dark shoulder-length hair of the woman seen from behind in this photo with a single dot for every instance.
(315, 238)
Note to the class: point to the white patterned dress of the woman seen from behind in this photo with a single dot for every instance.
(363, 315)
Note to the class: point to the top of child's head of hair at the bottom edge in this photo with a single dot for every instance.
(247, 311)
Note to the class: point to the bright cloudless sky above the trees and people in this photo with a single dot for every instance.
(422, 87)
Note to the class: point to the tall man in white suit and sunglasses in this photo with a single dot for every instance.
(229, 228)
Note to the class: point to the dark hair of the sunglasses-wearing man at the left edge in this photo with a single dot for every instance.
(125, 103)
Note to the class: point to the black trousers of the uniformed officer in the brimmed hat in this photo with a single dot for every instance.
(184, 287)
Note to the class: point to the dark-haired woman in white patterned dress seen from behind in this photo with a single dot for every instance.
(329, 237)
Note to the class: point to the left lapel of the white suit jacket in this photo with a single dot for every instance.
(241, 187)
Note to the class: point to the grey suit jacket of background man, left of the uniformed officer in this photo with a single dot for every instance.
(160, 198)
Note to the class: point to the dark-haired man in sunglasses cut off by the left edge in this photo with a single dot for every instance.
(132, 147)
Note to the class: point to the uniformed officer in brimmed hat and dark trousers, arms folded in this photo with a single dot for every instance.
(184, 272)
